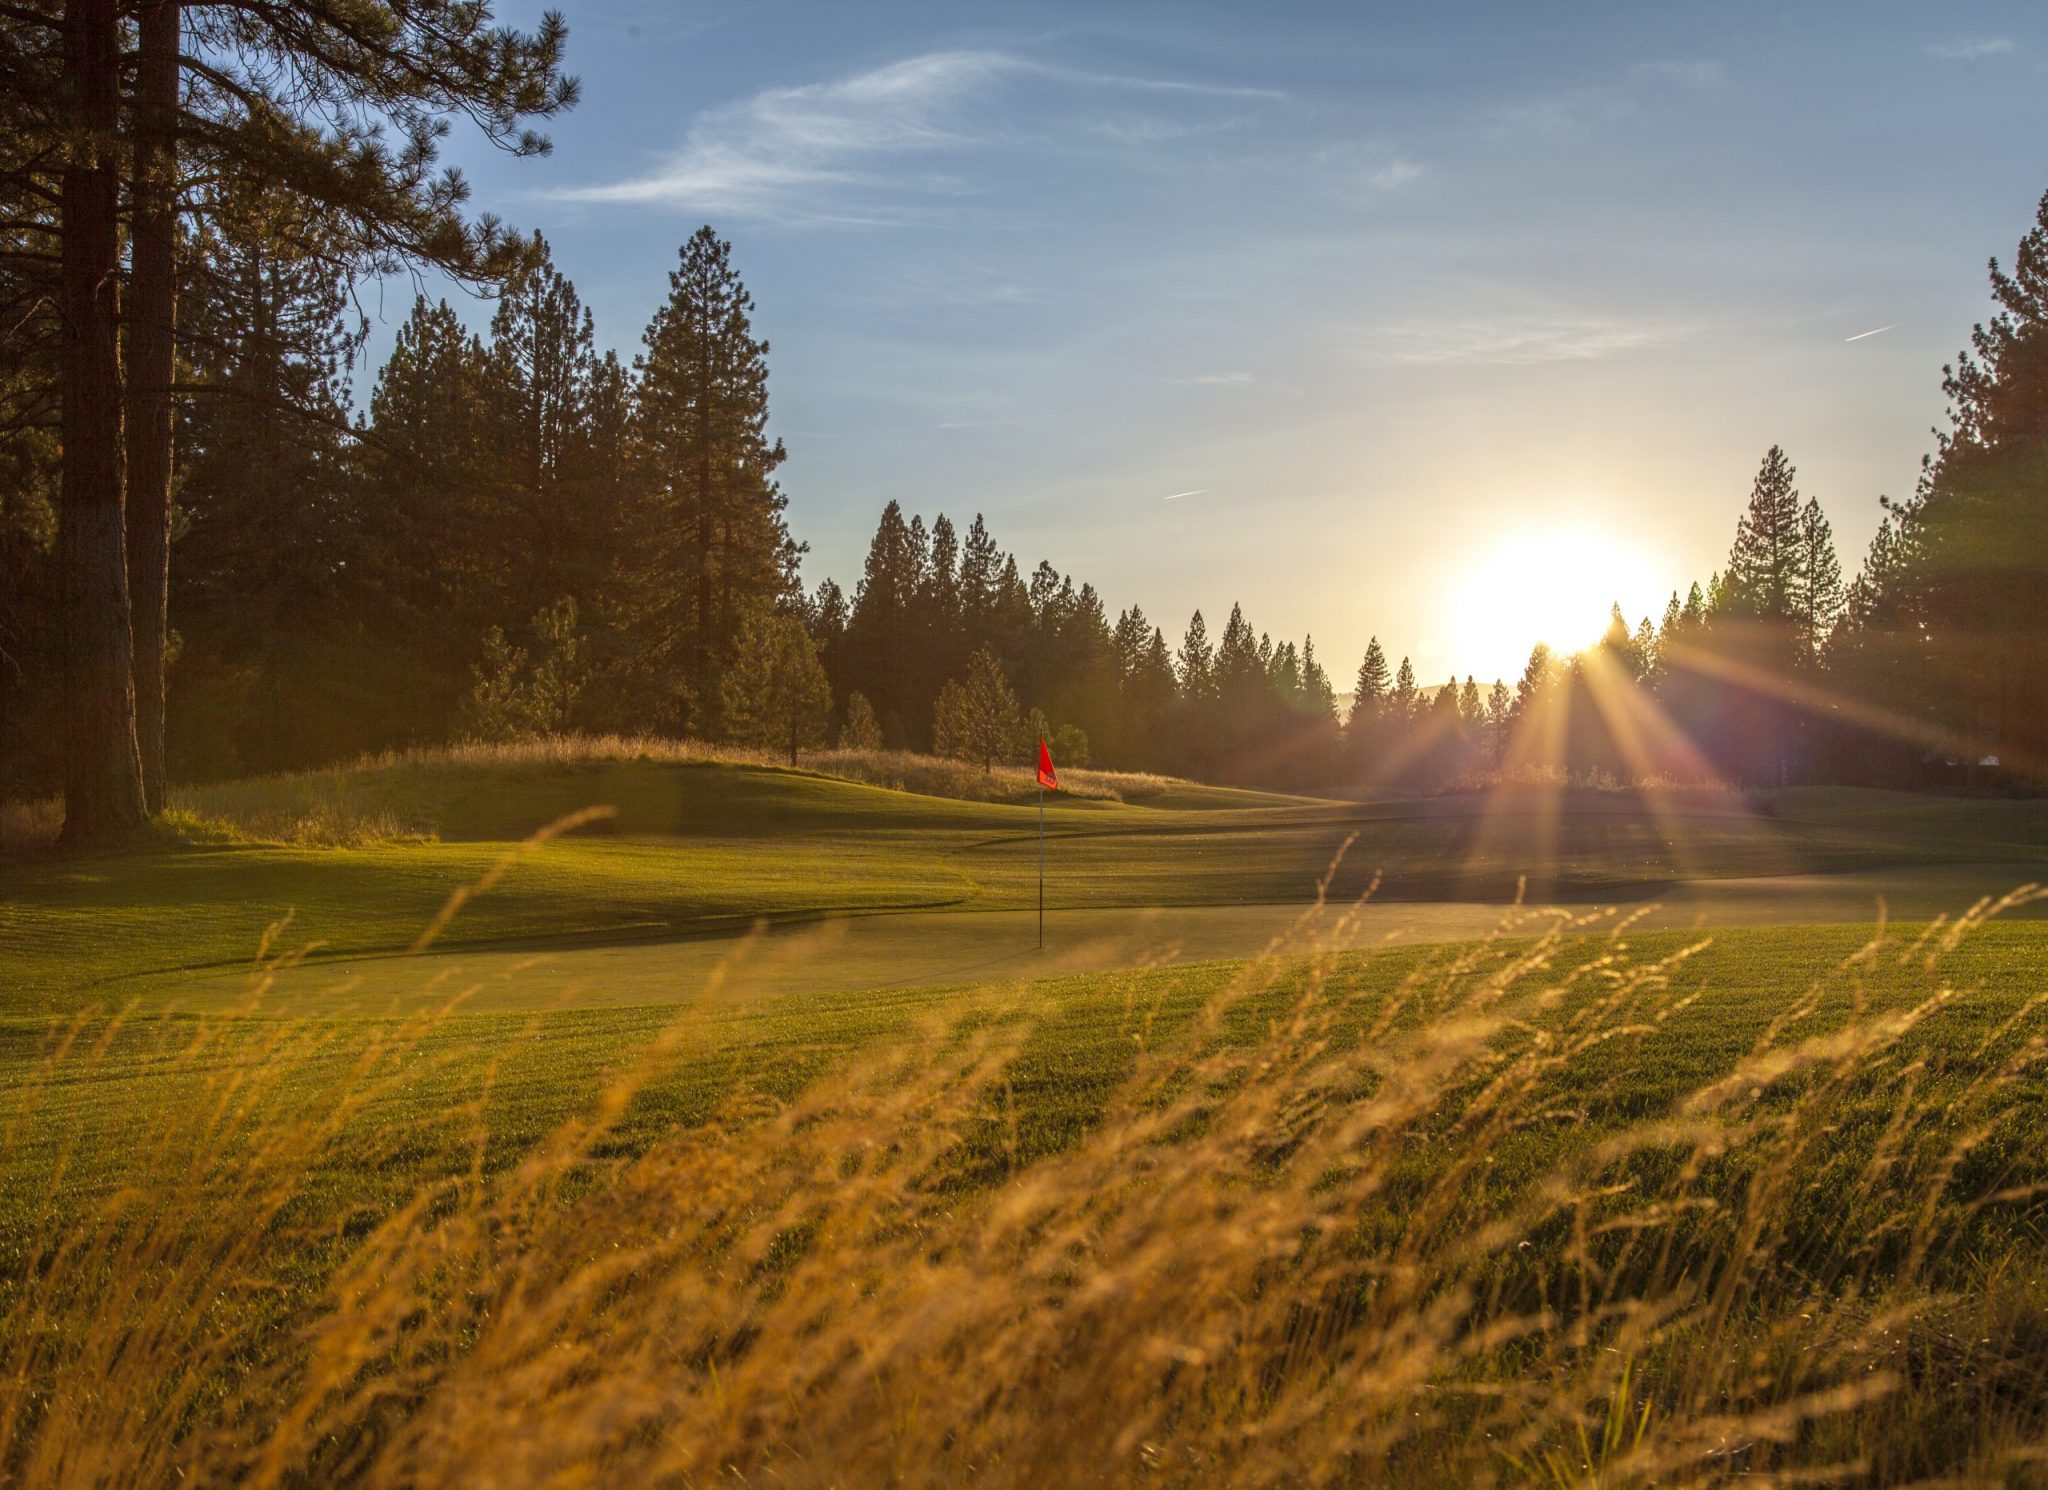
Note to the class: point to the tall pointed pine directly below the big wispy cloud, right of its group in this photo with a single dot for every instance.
(714, 541)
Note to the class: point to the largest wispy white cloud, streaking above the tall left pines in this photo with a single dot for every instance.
(830, 150)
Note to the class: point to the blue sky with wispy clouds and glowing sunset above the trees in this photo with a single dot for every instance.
(1447, 324)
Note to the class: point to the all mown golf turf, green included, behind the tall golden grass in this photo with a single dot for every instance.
(728, 938)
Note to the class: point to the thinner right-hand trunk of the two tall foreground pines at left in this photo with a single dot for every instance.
(153, 359)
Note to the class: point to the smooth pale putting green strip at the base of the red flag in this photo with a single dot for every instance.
(900, 951)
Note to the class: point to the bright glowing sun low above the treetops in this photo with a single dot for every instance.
(1551, 588)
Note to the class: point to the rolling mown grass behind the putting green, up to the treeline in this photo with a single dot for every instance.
(701, 848)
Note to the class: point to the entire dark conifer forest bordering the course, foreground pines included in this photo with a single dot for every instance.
(218, 560)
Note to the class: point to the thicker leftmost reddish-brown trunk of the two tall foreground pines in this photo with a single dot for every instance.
(101, 766)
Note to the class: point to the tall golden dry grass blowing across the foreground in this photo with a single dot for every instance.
(1328, 1233)
